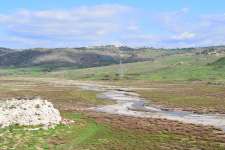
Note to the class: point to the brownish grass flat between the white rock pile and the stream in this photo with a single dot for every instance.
(64, 97)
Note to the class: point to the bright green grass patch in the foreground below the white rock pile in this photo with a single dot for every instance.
(62, 137)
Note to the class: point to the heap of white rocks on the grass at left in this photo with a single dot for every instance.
(28, 113)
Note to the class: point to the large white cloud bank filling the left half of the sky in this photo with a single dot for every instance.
(82, 24)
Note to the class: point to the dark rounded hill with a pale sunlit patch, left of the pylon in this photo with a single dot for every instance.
(54, 58)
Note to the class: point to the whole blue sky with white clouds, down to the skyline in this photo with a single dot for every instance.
(136, 23)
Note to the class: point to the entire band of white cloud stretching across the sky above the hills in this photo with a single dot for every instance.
(109, 24)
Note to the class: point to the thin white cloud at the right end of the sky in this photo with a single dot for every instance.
(184, 29)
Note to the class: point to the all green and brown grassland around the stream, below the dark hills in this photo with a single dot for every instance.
(181, 81)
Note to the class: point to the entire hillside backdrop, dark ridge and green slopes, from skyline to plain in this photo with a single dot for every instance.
(100, 63)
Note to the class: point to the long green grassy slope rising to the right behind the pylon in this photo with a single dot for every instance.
(170, 68)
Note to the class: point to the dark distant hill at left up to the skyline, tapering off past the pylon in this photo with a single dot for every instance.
(66, 57)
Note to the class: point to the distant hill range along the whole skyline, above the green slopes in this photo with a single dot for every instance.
(84, 57)
